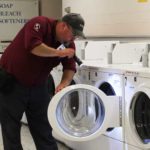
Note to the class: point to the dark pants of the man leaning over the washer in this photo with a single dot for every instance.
(34, 101)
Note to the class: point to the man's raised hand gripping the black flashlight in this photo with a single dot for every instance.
(67, 52)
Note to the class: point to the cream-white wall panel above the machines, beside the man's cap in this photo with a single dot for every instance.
(126, 18)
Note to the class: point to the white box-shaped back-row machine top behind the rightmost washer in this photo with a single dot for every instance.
(135, 54)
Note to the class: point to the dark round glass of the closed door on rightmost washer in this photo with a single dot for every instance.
(140, 109)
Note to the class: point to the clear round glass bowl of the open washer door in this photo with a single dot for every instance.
(81, 119)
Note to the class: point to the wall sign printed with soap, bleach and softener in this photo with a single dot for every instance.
(14, 14)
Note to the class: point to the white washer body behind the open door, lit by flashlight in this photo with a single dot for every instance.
(111, 82)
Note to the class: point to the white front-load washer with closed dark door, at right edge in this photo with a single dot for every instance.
(137, 109)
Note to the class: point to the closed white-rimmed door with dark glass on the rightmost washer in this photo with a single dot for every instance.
(139, 117)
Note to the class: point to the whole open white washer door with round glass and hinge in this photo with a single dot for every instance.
(89, 118)
